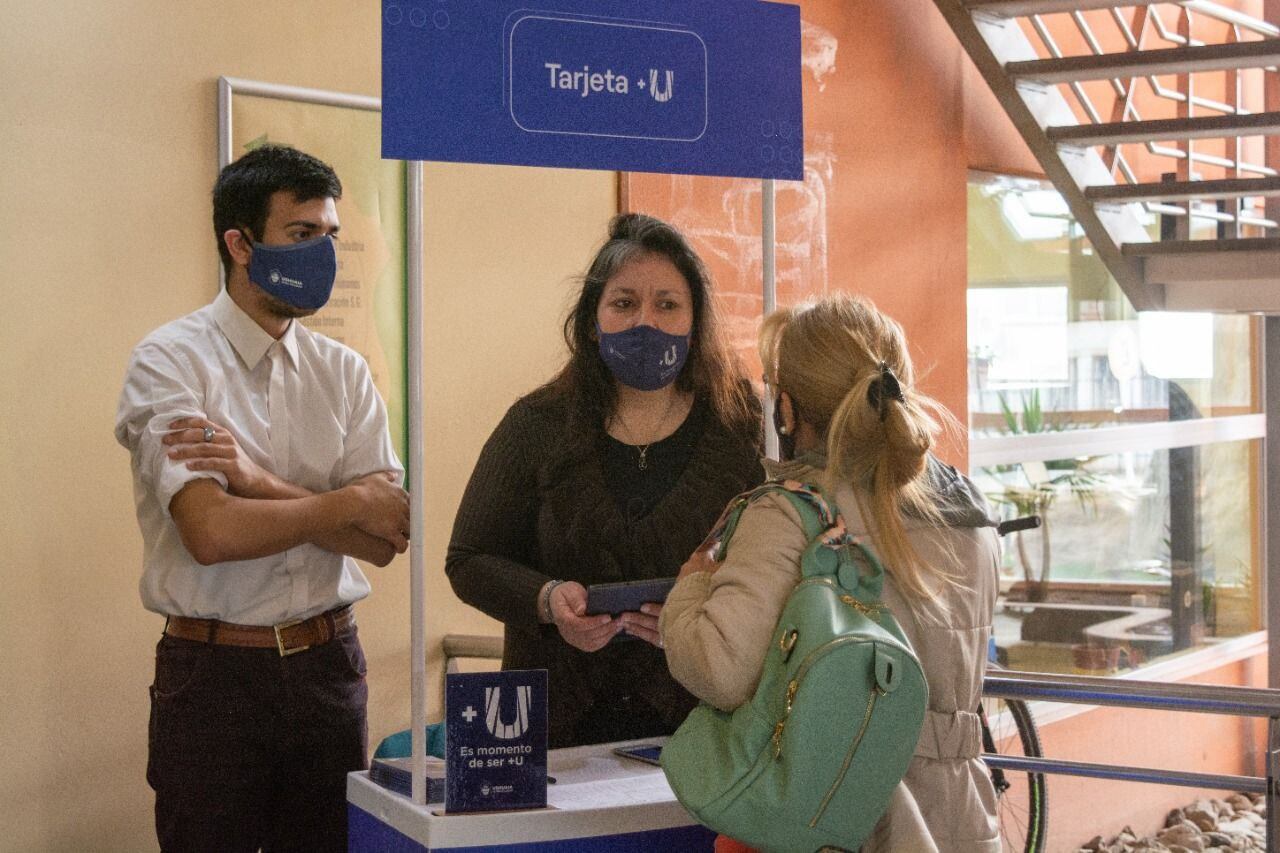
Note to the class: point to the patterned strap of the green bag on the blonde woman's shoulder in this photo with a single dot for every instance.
(833, 551)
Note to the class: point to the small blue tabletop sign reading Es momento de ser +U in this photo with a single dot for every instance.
(496, 754)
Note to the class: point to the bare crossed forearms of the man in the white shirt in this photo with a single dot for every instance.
(260, 514)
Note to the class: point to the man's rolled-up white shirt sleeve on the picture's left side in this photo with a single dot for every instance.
(159, 387)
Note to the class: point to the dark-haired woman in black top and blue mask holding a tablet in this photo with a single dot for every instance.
(614, 471)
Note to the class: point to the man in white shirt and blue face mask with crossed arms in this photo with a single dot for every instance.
(262, 467)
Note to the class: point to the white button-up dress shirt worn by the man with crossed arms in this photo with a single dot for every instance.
(304, 408)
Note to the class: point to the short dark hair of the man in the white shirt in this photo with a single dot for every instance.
(244, 191)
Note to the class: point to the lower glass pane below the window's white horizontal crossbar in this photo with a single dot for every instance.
(1141, 555)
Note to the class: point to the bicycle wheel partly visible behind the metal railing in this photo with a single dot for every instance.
(1008, 729)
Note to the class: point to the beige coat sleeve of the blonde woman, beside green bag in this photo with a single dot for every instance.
(716, 627)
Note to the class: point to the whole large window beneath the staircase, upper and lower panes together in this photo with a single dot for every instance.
(1133, 436)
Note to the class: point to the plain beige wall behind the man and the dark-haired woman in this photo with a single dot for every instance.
(108, 147)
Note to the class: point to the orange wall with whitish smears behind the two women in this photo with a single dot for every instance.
(883, 207)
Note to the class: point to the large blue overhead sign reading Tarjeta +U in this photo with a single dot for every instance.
(679, 86)
